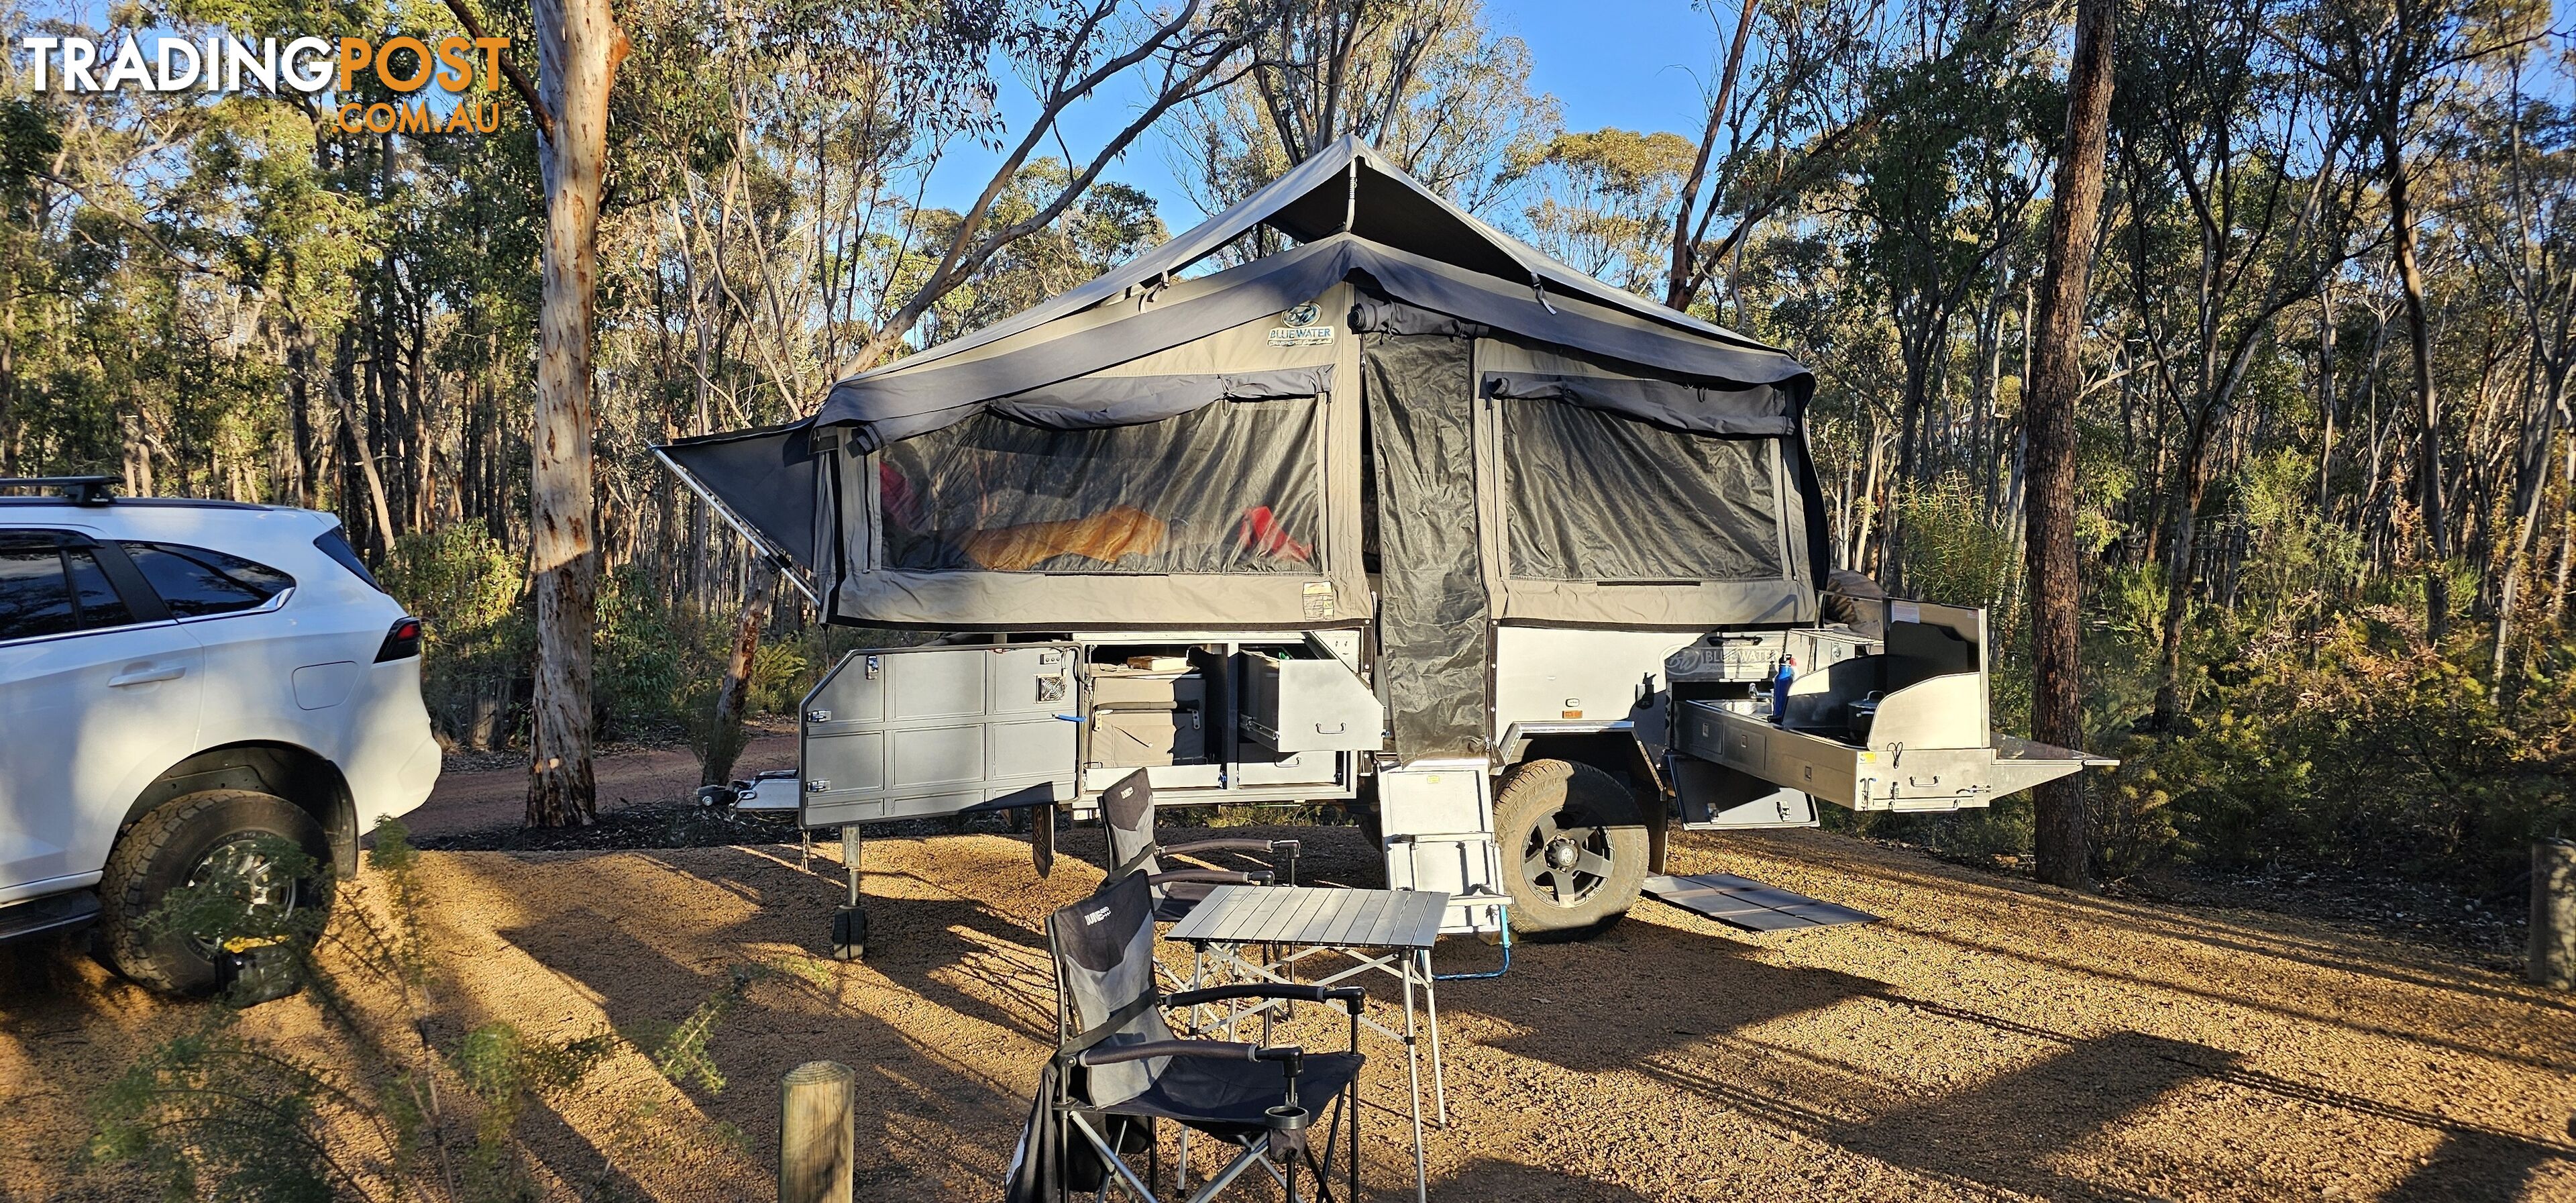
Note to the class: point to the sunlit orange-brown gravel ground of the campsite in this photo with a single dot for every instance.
(1987, 1039)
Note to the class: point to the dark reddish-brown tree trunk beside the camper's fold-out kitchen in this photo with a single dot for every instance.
(2057, 385)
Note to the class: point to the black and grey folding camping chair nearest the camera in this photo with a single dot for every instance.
(1119, 1073)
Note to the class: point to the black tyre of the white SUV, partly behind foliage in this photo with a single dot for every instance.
(161, 851)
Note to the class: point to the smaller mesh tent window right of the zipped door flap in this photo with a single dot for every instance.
(1606, 498)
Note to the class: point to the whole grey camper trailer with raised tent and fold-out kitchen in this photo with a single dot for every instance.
(1405, 516)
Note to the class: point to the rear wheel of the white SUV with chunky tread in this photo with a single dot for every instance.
(202, 838)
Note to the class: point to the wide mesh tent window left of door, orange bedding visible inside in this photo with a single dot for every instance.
(1217, 491)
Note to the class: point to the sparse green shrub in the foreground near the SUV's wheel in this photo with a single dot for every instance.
(225, 1114)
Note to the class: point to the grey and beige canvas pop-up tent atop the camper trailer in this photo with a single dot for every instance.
(1405, 416)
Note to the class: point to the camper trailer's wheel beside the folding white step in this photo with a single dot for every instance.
(1573, 849)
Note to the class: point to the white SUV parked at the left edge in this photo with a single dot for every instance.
(176, 684)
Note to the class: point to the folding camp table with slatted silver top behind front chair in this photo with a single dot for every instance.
(1264, 931)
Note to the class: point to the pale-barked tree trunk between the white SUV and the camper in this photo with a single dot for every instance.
(578, 58)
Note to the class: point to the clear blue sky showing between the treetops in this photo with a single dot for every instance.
(1609, 63)
